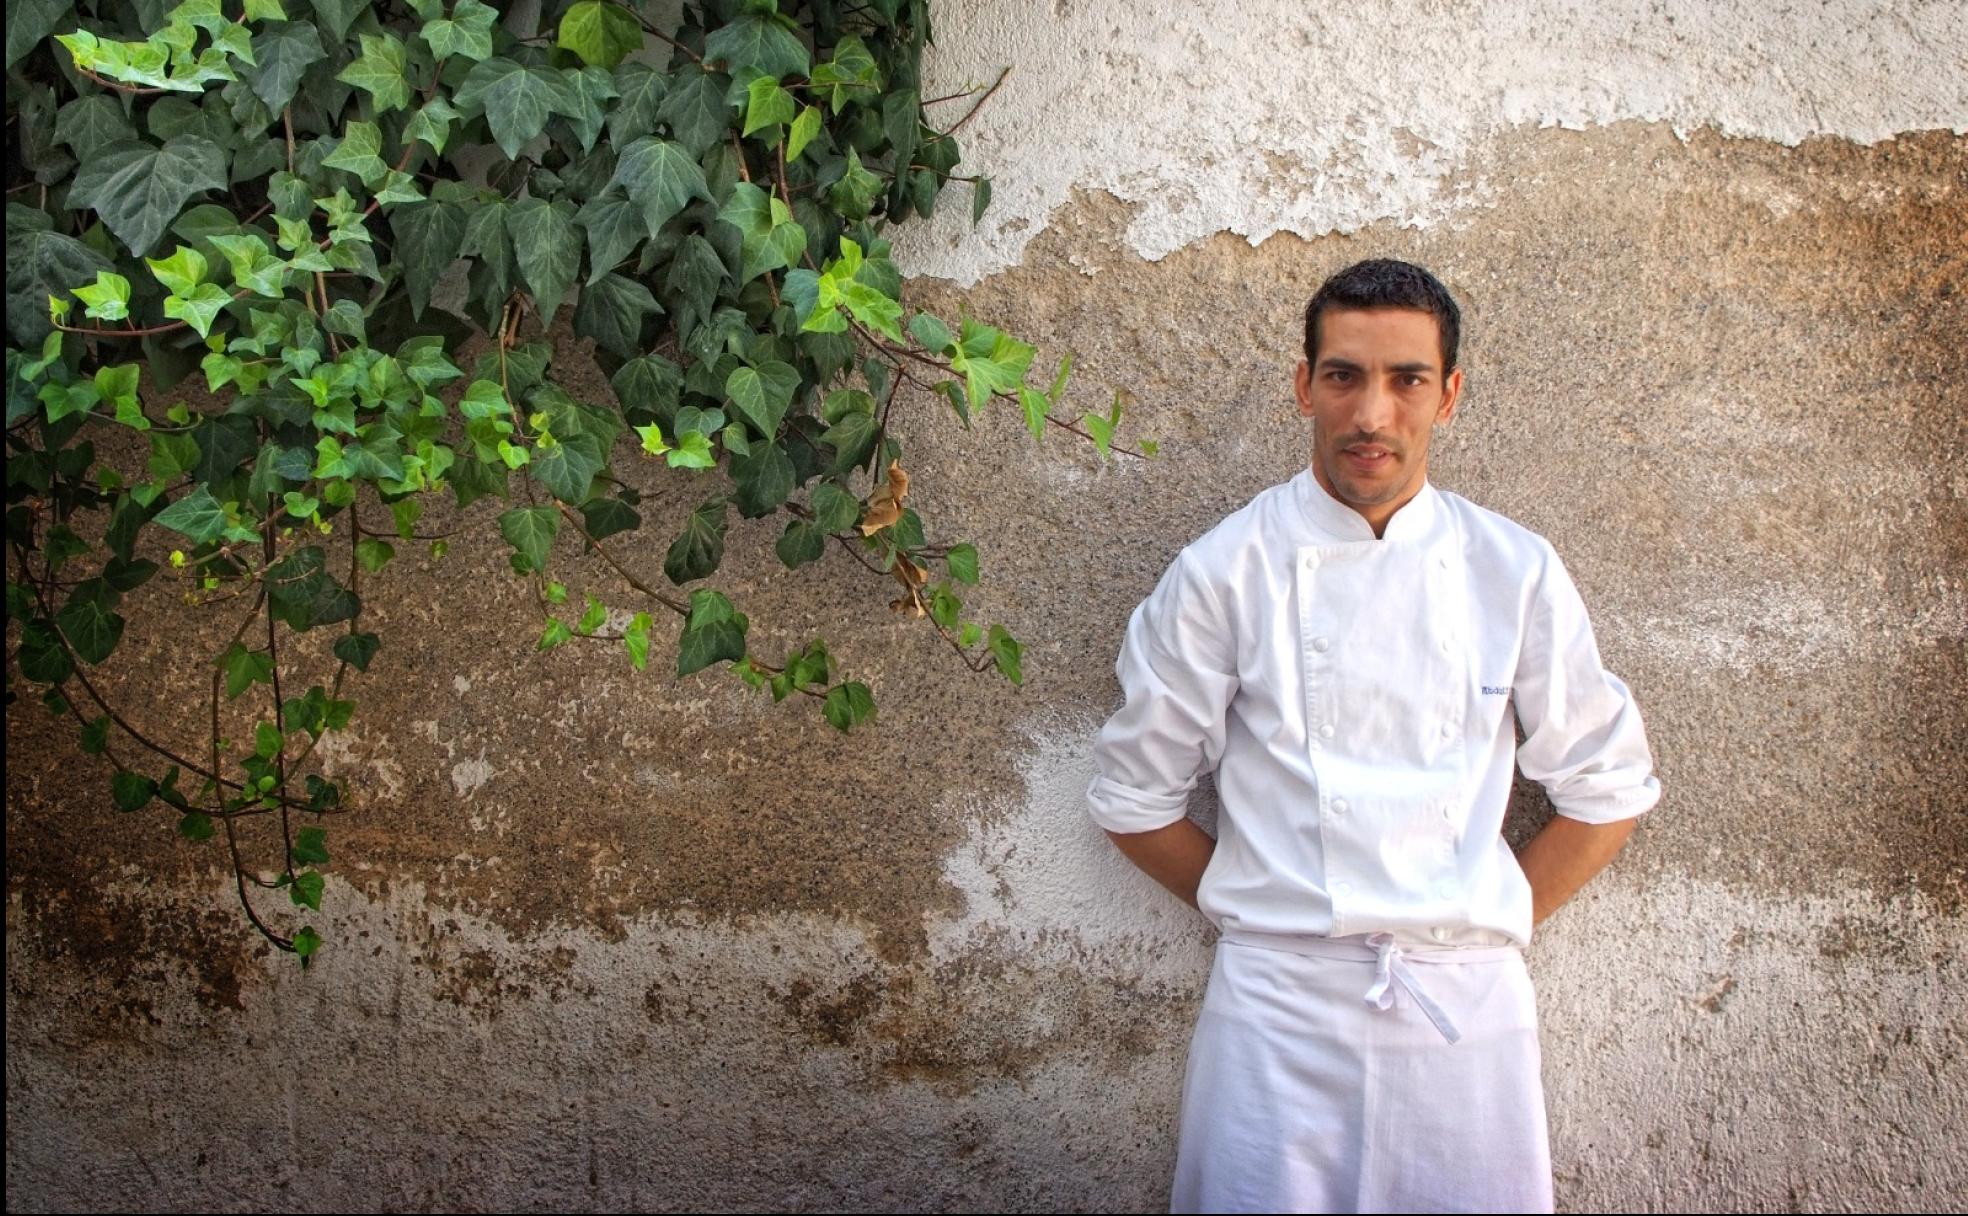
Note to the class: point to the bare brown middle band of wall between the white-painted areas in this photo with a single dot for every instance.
(1723, 377)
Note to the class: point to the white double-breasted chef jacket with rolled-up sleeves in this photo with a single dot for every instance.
(1355, 698)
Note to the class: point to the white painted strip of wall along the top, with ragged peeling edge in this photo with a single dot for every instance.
(1264, 117)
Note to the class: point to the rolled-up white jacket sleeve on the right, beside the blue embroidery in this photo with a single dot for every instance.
(1583, 739)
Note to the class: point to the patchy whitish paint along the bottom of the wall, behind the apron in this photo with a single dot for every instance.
(1688, 1034)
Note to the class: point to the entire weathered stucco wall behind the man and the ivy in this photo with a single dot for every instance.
(597, 940)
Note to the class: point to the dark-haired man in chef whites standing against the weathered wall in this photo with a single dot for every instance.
(1355, 652)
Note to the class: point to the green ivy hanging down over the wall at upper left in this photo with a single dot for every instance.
(308, 210)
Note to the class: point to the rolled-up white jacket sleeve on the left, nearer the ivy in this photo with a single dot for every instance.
(1178, 674)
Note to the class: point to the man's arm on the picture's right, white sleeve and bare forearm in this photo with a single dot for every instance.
(1583, 741)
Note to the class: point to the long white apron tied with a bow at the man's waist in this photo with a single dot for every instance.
(1345, 1075)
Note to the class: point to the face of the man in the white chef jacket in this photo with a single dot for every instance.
(1375, 398)
